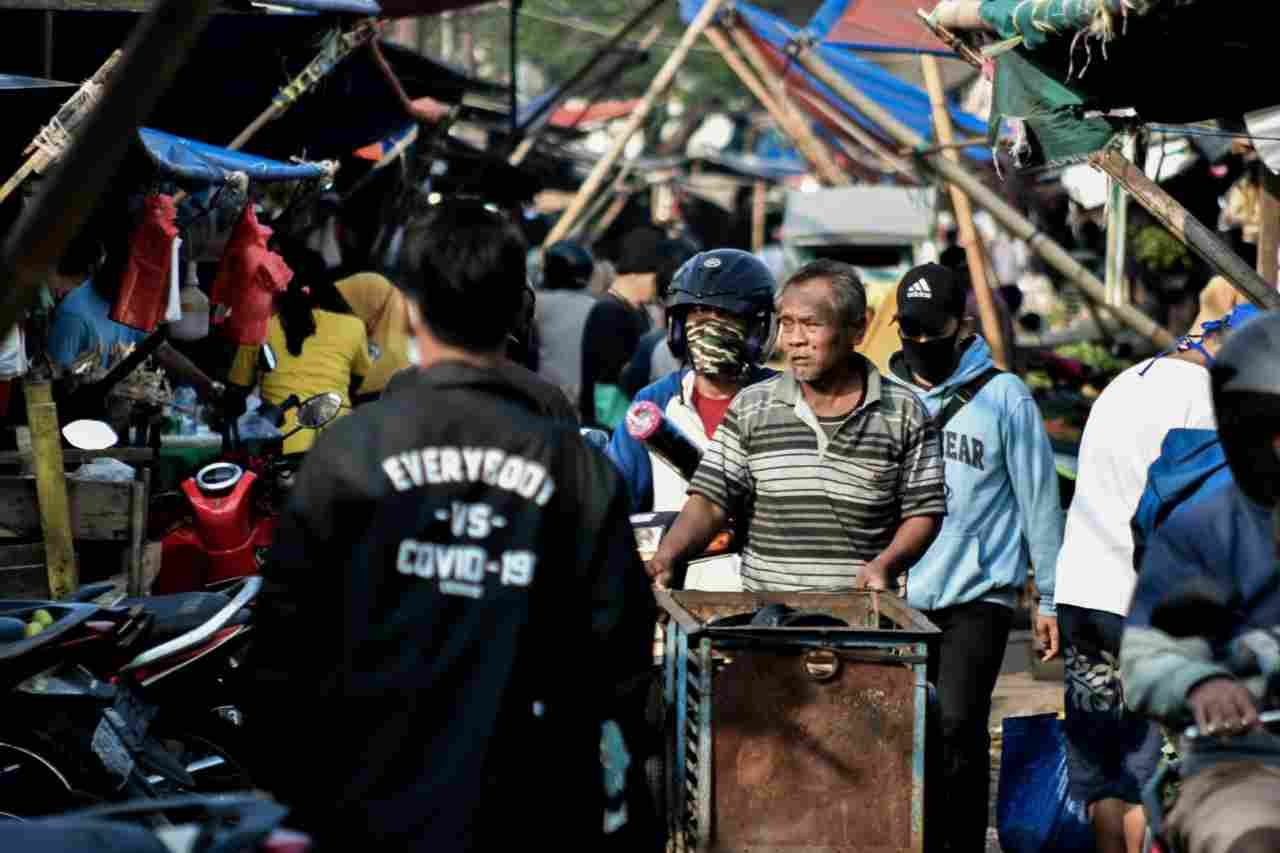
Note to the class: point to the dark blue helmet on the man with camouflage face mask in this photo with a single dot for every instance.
(730, 280)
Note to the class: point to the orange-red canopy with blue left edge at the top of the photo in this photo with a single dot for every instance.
(890, 26)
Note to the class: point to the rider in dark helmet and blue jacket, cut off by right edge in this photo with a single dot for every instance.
(1201, 640)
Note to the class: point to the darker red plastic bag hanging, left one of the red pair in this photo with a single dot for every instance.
(145, 282)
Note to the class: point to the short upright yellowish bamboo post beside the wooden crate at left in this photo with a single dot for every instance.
(56, 517)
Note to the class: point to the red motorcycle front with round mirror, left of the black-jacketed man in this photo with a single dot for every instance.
(221, 524)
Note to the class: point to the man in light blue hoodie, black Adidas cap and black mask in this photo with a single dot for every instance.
(1003, 513)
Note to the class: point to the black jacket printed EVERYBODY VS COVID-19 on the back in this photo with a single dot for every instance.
(454, 605)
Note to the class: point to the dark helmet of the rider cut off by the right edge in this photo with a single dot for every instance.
(1246, 377)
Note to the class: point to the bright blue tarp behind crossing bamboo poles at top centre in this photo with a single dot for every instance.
(907, 103)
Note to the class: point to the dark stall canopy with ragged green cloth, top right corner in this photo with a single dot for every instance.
(1169, 61)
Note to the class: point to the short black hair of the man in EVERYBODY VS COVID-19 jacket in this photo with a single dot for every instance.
(465, 266)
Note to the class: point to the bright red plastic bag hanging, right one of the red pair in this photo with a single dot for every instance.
(249, 279)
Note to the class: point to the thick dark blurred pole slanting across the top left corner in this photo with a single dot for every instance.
(154, 54)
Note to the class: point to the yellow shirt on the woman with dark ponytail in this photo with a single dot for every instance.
(331, 358)
